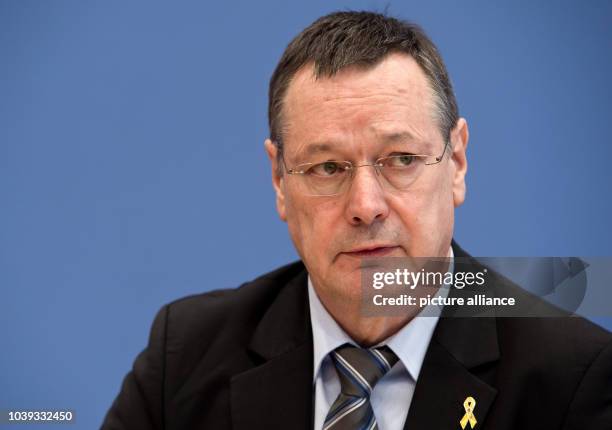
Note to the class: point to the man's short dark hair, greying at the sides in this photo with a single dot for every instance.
(343, 39)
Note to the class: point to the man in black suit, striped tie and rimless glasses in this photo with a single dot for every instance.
(368, 159)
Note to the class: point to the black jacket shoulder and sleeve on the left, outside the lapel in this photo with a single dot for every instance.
(196, 345)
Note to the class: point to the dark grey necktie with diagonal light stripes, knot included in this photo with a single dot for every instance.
(358, 370)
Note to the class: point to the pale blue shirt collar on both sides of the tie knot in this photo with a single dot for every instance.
(409, 343)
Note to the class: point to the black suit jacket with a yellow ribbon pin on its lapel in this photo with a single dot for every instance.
(242, 359)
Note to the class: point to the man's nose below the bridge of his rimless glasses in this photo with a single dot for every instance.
(366, 198)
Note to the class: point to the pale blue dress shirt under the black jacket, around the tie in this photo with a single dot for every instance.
(392, 395)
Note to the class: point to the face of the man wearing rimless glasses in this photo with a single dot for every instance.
(360, 115)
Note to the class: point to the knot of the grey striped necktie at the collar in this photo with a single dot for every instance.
(359, 369)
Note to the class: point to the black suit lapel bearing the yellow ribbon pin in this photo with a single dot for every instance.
(457, 365)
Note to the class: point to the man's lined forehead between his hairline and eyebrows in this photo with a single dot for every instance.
(358, 104)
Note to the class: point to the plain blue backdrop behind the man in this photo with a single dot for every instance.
(132, 169)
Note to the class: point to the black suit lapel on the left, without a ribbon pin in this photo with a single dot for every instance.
(277, 392)
